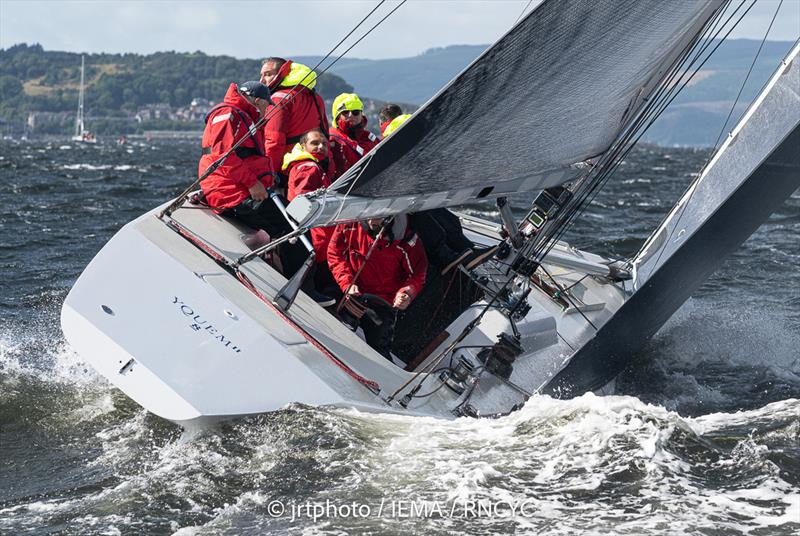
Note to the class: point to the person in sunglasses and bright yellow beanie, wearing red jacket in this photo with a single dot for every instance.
(350, 139)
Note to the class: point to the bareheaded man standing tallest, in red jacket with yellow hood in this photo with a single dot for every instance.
(296, 109)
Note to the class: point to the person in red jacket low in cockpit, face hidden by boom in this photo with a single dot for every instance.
(383, 258)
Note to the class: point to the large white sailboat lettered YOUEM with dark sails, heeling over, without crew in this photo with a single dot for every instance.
(181, 312)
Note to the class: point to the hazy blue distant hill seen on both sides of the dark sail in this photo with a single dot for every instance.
(695, 117)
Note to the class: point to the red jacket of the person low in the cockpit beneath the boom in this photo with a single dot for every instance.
(394, 265)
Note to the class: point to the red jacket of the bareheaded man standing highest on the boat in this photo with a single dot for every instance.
(291, 119)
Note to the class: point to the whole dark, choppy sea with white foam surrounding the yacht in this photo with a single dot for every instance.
(701, 437)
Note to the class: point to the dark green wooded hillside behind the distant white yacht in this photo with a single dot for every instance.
(32, 79)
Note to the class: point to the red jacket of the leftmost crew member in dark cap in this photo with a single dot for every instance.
(226, 124)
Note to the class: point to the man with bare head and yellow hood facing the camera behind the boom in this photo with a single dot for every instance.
(309, 168)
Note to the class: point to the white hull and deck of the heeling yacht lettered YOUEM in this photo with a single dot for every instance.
(188, 341)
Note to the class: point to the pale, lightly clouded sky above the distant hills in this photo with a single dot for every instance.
(258, 28)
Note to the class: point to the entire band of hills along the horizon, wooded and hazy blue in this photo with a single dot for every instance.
(32, 79)
